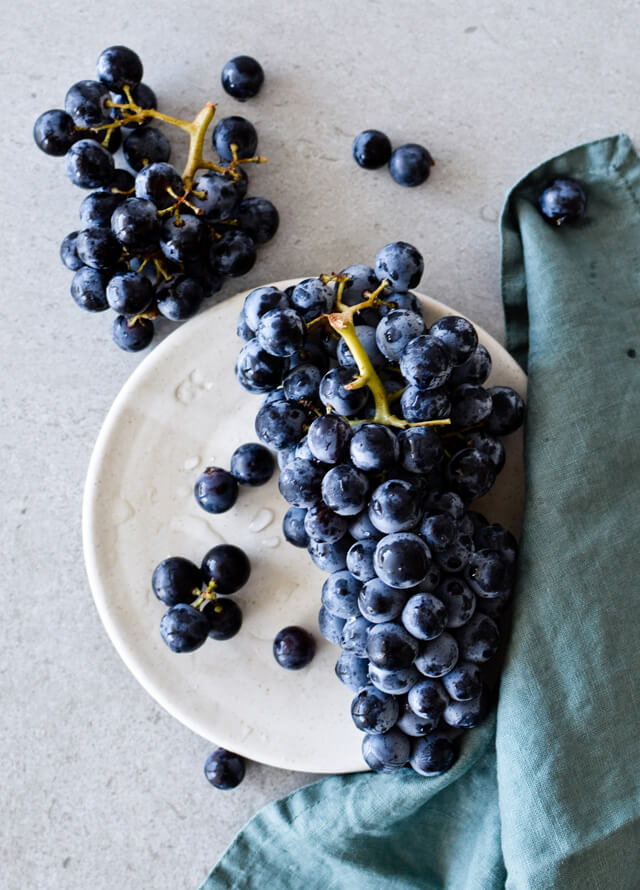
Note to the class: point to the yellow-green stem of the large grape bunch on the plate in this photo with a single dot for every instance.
(343, 324)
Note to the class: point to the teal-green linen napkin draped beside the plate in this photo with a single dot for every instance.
(546, 793)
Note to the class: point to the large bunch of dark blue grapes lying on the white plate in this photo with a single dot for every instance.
(385, 436)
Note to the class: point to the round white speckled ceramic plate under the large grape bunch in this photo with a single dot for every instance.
(180, 411)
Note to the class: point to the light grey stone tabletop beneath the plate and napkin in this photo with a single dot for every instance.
(100, 788)
